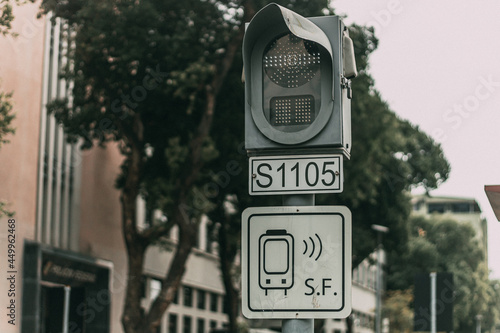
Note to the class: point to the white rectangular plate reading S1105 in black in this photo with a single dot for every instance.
(296, 174)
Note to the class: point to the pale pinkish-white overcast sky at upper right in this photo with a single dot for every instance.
(438, 66)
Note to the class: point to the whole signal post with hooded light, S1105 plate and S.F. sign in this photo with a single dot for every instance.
(296, 259)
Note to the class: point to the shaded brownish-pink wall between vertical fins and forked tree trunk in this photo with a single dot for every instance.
(100, 220)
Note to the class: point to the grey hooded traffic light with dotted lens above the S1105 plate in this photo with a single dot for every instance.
(297, 75)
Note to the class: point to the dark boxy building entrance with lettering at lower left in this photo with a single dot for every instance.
(64, 292)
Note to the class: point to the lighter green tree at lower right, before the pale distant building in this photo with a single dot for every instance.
(433, 247)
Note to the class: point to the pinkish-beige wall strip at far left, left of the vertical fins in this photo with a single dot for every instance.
(21, 61)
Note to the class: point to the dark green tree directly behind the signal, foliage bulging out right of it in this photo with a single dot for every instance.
(389, 157)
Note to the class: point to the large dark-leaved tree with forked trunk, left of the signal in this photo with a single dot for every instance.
(147, 75)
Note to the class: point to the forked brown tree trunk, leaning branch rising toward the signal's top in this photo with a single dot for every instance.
(134, 321)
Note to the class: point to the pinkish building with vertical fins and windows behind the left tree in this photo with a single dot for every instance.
(68, 262)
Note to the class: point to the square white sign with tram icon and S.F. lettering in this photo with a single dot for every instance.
(296, 262)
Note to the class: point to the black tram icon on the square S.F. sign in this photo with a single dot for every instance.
(276, 260)
